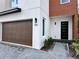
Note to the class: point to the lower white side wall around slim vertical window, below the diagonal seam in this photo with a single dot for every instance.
(46, 17)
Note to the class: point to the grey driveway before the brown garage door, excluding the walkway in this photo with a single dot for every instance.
(17, 52)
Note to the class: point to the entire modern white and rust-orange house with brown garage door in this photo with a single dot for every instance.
(30, 22)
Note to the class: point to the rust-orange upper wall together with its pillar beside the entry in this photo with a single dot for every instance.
(57, 9)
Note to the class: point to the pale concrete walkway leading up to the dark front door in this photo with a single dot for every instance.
(59, 51)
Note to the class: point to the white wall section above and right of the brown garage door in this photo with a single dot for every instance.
(25, 15)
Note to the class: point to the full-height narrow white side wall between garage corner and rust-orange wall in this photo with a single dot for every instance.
(44, 7)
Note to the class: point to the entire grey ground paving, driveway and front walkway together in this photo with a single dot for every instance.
(9, 51)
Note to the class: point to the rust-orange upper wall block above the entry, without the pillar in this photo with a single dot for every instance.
(57, 9)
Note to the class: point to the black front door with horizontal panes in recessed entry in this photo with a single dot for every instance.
(64, 30)
